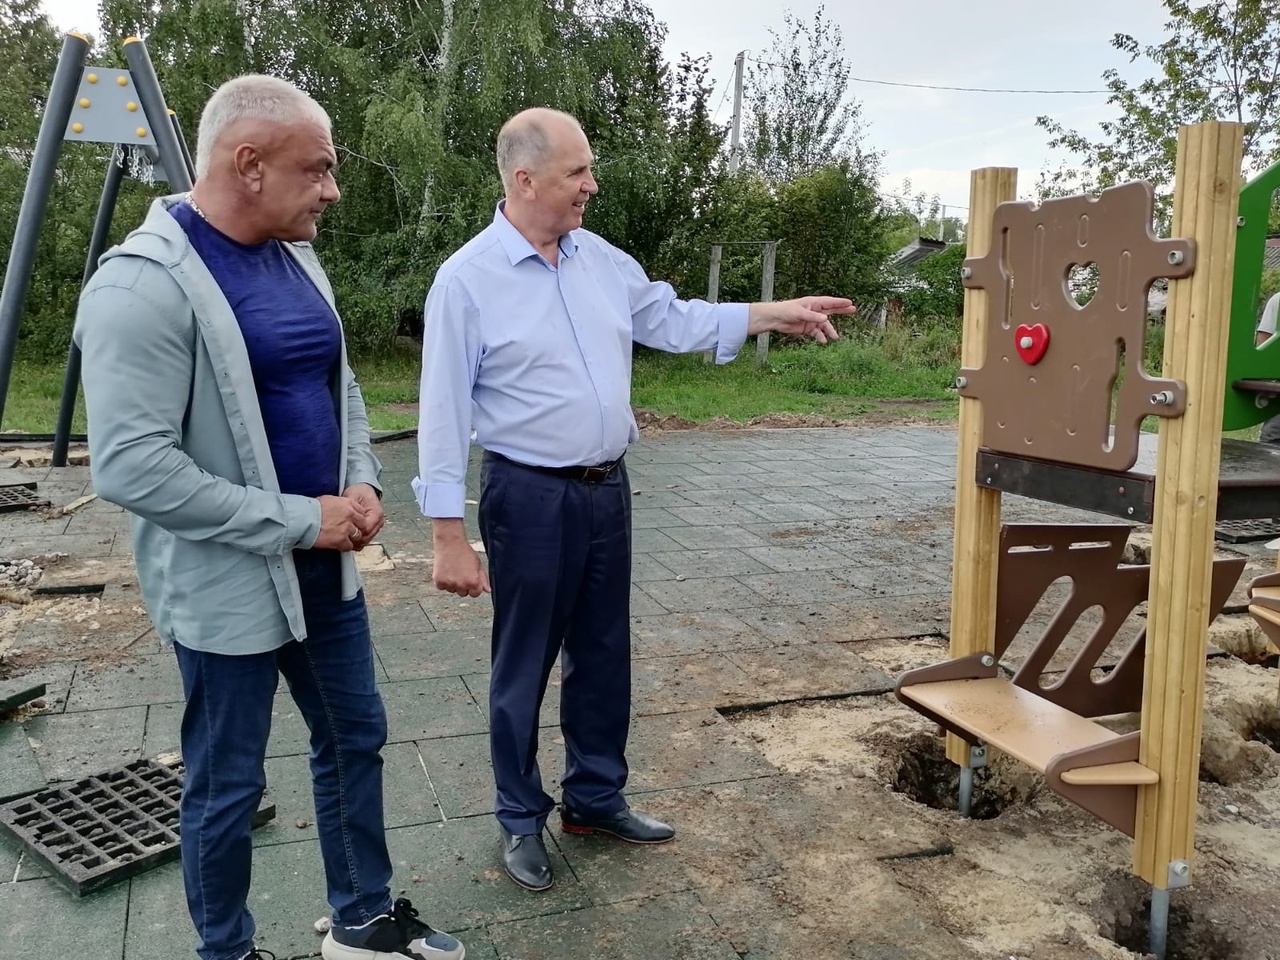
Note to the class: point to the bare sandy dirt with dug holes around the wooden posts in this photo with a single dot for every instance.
(874, 835)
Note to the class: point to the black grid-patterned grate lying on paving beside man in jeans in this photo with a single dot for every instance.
(107, 828)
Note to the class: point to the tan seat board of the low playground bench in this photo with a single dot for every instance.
(1025, 726)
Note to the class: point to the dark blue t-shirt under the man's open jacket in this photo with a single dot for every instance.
(294, 345)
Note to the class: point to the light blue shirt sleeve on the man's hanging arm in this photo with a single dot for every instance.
(451, 360)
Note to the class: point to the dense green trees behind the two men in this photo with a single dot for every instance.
(418, 93)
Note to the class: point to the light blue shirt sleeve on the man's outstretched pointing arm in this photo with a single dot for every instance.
(664, 322)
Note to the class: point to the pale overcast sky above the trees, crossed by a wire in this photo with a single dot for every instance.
(934, 138)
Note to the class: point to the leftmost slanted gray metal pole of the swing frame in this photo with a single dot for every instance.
(35, 200)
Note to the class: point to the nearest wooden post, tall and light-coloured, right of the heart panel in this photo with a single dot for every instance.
(1197, 321)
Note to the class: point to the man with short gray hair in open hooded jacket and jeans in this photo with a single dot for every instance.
(225, 417)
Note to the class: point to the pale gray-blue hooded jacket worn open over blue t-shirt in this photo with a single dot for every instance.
(177, 438)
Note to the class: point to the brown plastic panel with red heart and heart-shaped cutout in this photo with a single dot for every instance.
(1046, 383)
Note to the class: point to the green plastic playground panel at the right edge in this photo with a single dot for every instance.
(1244, 360)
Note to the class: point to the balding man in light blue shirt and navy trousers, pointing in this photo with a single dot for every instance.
(527, 350)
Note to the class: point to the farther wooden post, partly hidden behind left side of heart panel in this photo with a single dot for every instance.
(977, 522)
